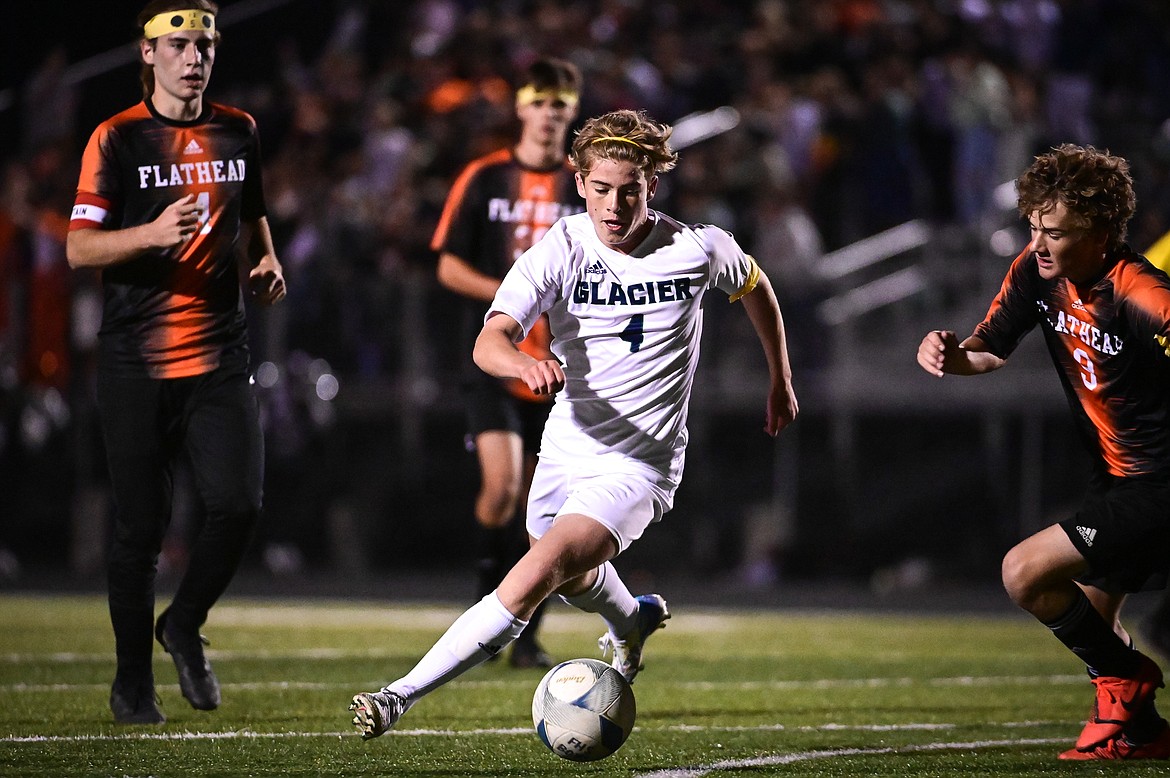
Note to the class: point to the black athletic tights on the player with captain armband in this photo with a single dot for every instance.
(148, 424)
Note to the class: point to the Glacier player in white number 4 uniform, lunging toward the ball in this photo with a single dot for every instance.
(623, 287)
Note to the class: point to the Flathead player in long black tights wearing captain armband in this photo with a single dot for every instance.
(170, 201)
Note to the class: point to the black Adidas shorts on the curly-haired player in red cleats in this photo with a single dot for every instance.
(1124, 532)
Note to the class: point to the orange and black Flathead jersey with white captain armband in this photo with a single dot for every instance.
(176, 313)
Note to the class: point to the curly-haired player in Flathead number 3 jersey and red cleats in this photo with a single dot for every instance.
(1105, 314)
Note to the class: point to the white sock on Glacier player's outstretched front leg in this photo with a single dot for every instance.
(481, 632)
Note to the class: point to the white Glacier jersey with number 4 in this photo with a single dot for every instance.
(627, 329)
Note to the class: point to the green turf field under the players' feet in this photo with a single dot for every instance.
(724, 694)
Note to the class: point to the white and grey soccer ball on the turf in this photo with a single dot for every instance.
(583, 711)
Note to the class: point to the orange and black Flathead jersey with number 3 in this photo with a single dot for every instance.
(1110, 343)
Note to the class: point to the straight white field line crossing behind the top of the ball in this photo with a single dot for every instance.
(698, 686)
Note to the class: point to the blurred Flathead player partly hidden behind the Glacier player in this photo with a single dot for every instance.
(500, 206)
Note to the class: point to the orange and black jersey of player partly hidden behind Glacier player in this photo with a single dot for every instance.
(495, 211)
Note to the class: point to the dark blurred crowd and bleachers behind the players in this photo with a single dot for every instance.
(857, 119)
